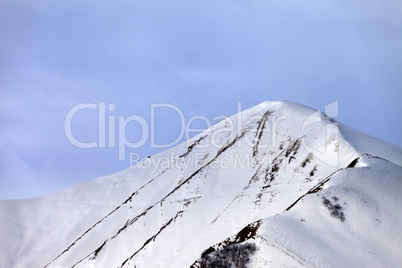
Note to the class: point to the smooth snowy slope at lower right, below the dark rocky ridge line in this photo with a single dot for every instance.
(369, 236)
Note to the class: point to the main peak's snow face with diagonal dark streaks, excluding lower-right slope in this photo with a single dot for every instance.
(195, 207)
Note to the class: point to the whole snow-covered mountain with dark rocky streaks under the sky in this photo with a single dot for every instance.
(278, 185)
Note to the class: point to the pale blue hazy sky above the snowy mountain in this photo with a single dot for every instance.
(201, 57)
